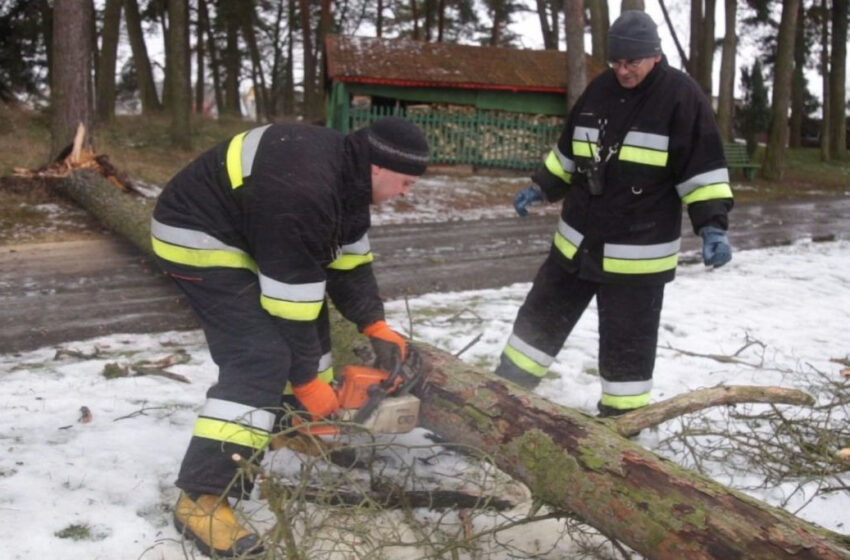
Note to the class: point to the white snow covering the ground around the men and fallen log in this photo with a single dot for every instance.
(103, 488)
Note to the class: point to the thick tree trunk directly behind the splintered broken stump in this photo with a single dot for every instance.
(70, 92)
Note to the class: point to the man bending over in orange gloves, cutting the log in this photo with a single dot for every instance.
(255, 232)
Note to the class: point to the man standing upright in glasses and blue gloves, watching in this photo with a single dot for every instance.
(640, 141)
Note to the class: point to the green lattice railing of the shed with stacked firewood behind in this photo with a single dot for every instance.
(474, 136)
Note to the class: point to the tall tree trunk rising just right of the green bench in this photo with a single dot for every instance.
(777, 138)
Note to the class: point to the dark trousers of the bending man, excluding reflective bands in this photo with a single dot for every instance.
(253, 360)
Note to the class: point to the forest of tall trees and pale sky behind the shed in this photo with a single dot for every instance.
(210, 53)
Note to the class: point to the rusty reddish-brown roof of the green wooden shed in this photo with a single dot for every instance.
(402, 62)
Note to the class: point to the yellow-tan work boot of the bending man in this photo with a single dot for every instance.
(209, 521)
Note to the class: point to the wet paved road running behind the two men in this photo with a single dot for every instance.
(58, 292)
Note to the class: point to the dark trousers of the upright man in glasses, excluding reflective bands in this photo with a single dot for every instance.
(629, 316)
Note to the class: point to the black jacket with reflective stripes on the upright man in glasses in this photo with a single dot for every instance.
(658, 146)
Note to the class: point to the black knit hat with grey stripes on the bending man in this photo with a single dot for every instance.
(398, 145)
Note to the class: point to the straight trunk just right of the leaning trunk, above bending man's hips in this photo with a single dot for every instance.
(179, 73)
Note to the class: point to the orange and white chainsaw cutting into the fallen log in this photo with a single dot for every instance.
(377, 400)
